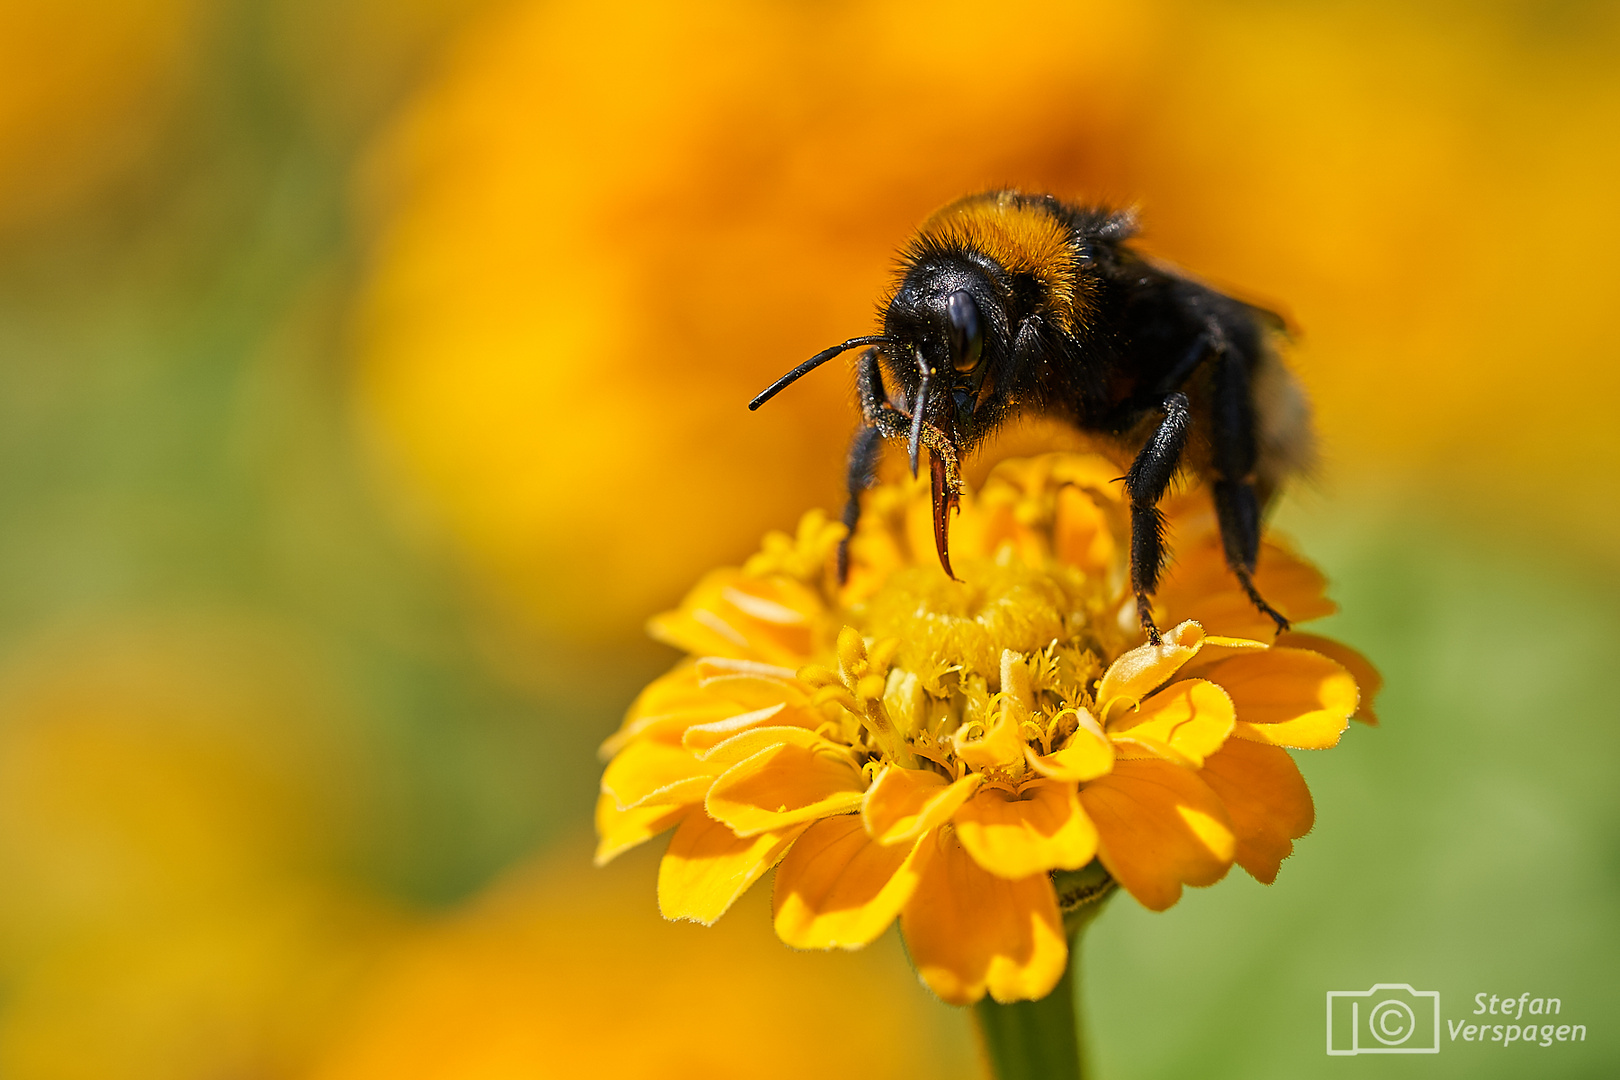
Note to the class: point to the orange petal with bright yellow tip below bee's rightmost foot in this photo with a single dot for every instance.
(1289, 697)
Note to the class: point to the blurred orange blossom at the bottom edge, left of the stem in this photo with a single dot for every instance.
(560, 972)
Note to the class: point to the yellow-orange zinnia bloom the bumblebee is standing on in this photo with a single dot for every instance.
(931, 750)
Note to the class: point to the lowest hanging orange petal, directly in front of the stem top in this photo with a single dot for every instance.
(971, 932)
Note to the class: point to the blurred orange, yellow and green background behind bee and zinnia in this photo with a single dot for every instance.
(370, 372)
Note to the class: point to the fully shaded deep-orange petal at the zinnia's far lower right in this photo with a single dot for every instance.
(1266, 799)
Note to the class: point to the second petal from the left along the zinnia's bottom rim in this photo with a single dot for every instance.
(709, 867)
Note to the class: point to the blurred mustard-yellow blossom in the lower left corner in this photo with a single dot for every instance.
(176, 812)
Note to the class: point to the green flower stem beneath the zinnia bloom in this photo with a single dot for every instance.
(1041, 1040)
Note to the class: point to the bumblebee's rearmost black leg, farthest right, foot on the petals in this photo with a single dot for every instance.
(1237, 508)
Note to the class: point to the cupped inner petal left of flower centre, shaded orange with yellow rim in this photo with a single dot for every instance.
(783, 786)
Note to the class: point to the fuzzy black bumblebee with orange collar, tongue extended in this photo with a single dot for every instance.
(1007, 304)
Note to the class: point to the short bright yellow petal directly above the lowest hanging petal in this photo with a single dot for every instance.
(1038, 830)
